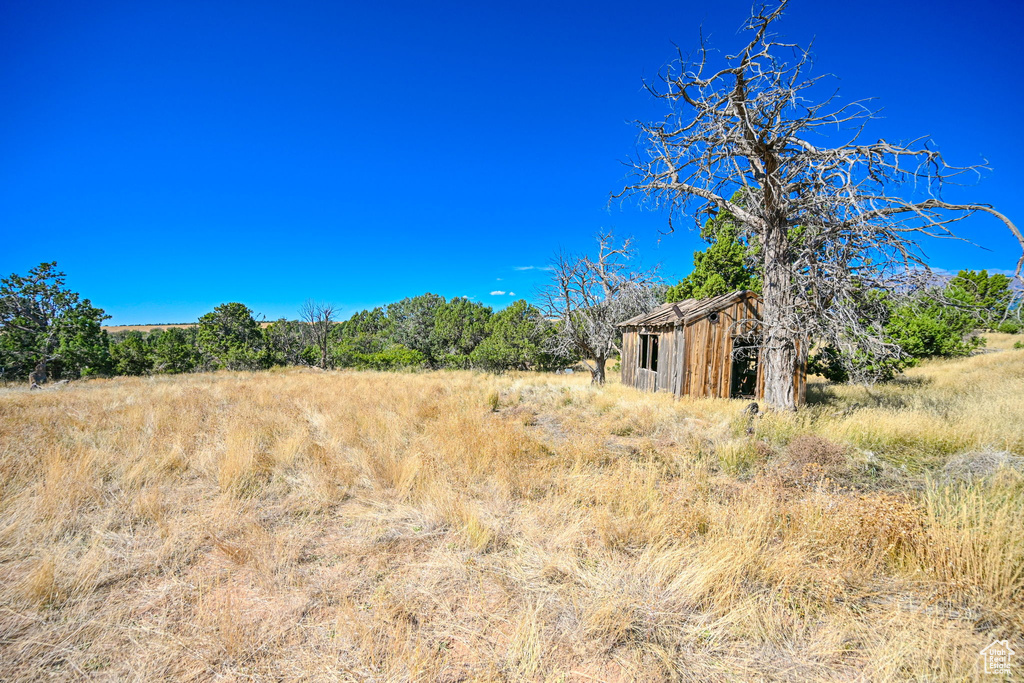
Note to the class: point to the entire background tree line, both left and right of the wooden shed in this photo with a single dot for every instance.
(46, 325)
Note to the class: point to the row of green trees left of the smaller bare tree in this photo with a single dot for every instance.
(45, 324)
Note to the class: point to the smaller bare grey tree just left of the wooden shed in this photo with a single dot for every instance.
(588, 296)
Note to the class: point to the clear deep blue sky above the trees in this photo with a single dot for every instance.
(174, 156)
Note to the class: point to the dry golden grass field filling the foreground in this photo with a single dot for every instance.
(458, 527)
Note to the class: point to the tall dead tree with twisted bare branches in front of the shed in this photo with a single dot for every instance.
(831, 222)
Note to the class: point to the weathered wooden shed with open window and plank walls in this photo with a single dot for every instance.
(700, 348)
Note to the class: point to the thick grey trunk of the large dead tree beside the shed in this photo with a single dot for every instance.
(779, 352)
